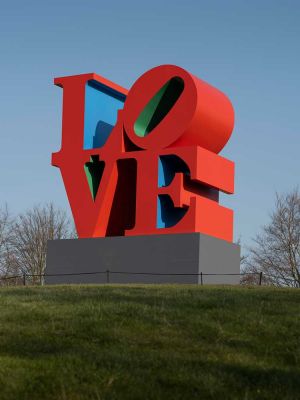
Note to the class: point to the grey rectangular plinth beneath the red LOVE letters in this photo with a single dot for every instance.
(143, 259)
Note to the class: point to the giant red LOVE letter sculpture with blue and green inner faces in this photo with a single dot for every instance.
(145, 161)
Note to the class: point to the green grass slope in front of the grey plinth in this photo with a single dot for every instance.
(149, 342)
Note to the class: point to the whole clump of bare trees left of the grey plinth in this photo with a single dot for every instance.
(23, 240)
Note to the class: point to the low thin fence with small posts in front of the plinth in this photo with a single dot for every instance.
(251, 278)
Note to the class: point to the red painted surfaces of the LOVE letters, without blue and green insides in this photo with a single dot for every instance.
(195, 129)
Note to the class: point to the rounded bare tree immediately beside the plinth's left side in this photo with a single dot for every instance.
(31, 231)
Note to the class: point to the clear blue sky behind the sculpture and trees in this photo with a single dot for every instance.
(248, 49)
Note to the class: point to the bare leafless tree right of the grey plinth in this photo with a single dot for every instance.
(276, 250)
